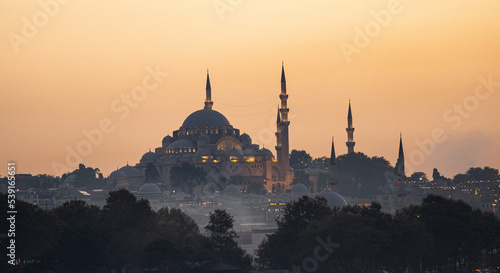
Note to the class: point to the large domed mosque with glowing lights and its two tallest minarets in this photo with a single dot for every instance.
(207, 139)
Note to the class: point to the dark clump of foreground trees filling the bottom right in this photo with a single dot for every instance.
(440, 235)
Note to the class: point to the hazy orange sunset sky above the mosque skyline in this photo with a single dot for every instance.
(428, 69)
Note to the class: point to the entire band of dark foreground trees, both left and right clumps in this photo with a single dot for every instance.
(440, 235)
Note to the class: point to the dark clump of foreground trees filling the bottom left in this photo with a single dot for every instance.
(124, 235)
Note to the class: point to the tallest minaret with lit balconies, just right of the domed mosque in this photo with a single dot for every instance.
(282, 145)
